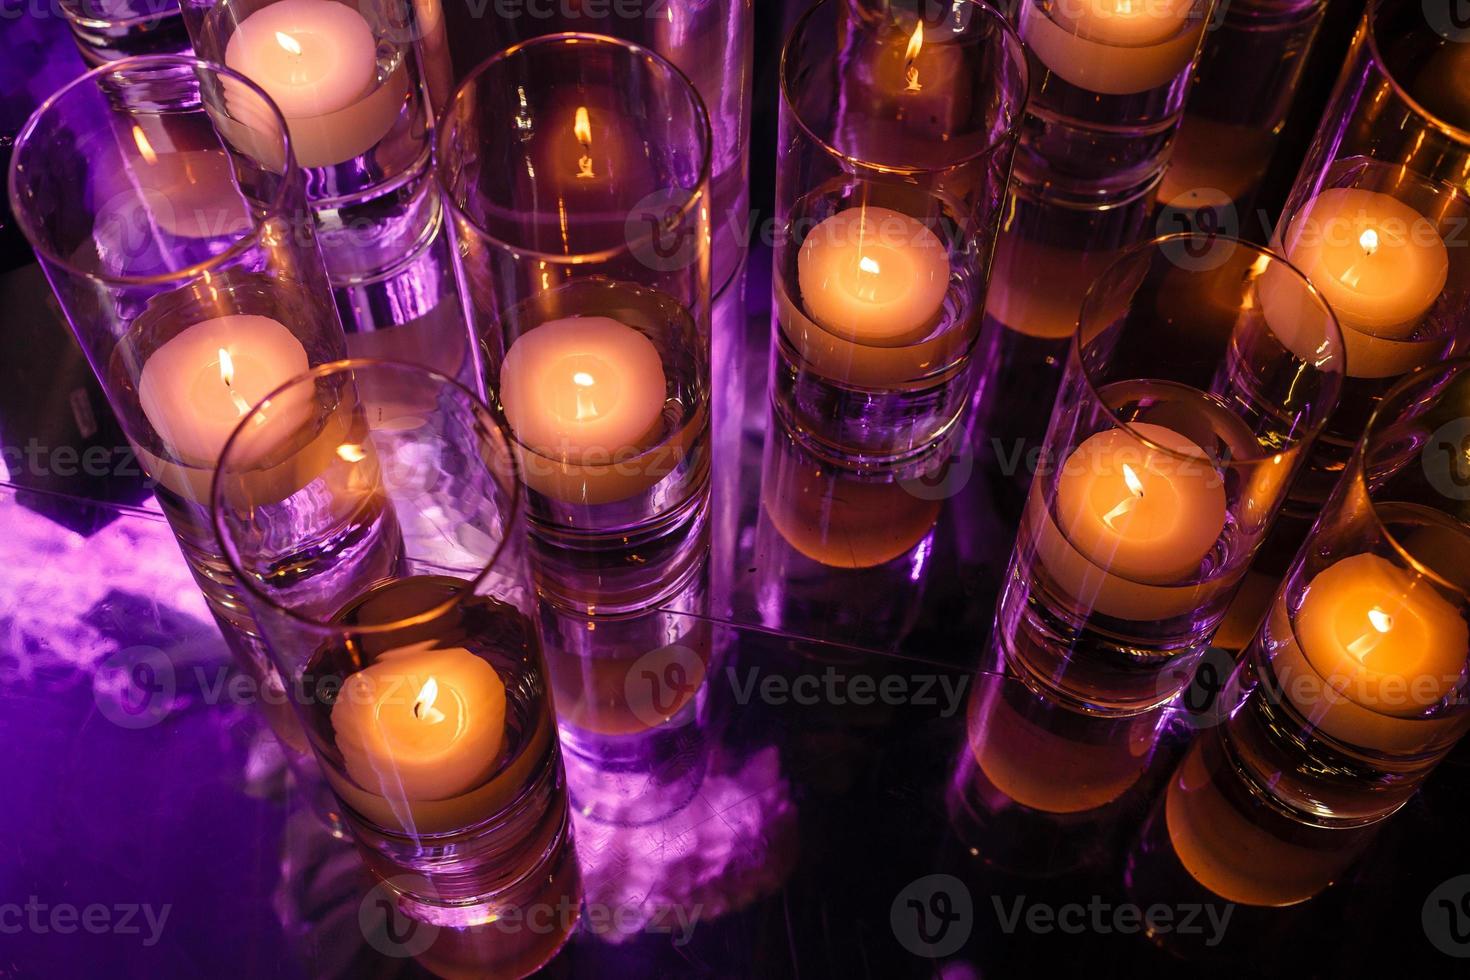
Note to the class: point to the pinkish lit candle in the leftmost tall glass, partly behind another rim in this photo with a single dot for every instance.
(198, 387)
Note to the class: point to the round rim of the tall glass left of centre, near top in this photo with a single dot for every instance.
(705, 136)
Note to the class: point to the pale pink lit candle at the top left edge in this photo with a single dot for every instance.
(318, 61)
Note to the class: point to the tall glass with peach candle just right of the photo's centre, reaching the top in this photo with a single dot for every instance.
(899, 139)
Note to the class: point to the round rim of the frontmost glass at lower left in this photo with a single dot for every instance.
(349, 365)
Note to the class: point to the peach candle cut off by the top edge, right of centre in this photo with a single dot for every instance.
(1114, 48)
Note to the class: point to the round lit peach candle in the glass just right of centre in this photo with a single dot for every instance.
(875, 277)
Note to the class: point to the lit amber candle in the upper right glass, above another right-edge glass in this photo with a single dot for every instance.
(1380, 265)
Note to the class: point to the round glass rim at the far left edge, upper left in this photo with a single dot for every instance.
(248, 240)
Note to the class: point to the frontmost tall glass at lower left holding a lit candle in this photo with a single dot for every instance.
(393, 591)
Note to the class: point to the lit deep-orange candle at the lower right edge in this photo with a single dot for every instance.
(1383, 638)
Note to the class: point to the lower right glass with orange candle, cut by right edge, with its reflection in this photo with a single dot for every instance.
(1355, 687)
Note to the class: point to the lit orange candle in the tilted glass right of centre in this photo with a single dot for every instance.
(1141, 512)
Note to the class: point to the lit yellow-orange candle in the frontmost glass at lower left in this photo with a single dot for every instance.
(421, 724)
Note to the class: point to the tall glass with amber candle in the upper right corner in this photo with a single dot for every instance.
(1378, 223)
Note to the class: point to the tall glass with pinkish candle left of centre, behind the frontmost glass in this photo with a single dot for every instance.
(583, 221)
